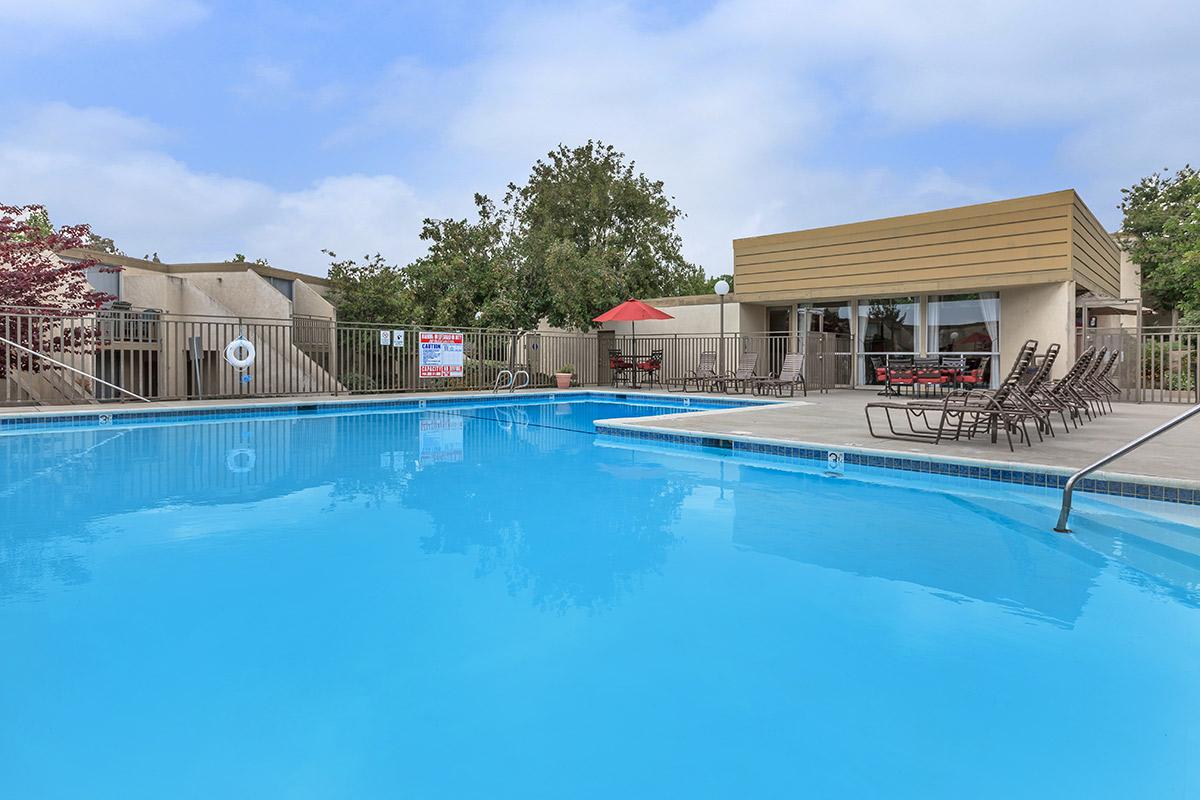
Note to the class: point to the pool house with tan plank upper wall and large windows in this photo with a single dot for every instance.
(974, 281)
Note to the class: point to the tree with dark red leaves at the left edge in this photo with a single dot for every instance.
(40, 288)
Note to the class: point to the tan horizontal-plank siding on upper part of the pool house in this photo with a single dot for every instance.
(1041, 239)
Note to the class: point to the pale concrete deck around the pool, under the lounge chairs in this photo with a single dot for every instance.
(835, 420)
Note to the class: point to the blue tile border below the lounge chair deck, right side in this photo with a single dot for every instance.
(1103, 484)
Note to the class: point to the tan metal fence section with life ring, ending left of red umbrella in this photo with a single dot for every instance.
(167, 357)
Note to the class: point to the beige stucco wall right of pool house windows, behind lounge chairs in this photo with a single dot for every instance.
(1045, 312)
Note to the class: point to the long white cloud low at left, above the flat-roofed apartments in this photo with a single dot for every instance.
(105, 169)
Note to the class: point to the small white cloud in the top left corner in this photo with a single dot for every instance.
(31, 26)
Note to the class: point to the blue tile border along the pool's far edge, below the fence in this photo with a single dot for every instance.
(95, 418)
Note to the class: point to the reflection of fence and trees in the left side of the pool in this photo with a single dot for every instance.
(512, 488)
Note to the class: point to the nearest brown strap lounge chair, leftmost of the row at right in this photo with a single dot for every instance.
(965, 414)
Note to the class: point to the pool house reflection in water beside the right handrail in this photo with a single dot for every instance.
(992, 548)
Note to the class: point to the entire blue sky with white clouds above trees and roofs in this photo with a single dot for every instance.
(197, 130)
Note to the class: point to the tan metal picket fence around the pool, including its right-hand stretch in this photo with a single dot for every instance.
(165, 357)
